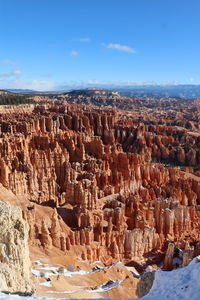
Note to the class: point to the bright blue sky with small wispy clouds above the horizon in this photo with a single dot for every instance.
(47, 44)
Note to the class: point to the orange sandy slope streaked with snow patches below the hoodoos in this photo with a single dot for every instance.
(68, 277)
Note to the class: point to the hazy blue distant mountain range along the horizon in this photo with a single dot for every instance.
(182, 91)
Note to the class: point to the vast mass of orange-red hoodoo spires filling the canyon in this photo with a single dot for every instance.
(100, 172)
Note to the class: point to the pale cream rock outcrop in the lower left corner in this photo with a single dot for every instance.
(14, 251)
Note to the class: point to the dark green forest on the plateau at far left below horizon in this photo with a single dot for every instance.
(10, 99)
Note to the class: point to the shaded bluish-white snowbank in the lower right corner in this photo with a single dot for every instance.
(179, 284)
